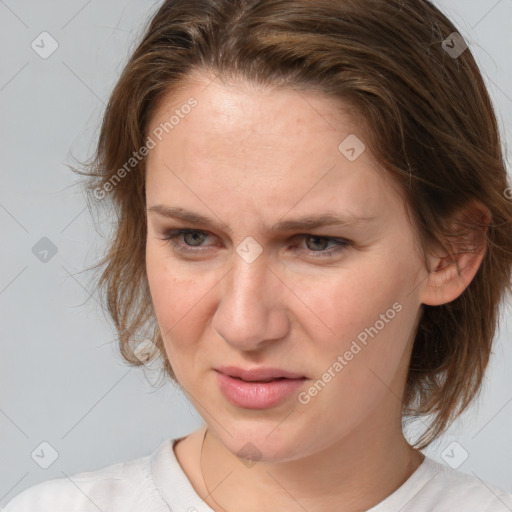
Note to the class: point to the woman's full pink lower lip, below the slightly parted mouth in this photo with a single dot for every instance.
(257, 395)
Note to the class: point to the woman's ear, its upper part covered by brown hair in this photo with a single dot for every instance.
(456, 264)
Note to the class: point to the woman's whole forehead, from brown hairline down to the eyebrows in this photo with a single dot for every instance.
(272, 149)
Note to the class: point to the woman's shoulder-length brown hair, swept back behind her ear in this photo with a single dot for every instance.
(428, 120)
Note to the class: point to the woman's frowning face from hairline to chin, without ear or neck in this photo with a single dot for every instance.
(250, 287)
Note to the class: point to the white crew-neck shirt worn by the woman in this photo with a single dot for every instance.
(156, 483)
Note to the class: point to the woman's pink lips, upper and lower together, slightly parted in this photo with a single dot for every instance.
(257, 394)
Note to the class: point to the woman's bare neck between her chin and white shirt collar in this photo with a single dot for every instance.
(350, 475)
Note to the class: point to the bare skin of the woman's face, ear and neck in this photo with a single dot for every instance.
(248, 158)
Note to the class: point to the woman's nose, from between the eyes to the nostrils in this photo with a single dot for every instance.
(251, 311)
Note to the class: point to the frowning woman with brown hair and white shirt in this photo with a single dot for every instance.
(313, 219)
